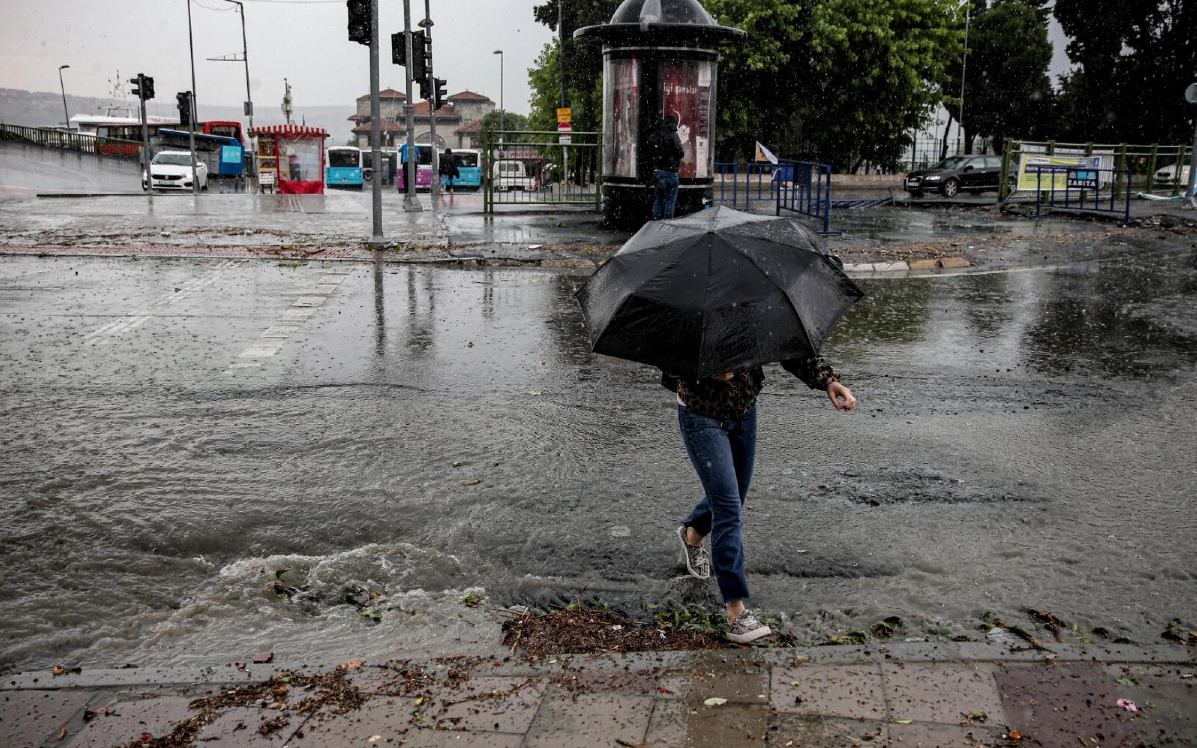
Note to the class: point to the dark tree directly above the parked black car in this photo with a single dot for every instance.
(1008, 92)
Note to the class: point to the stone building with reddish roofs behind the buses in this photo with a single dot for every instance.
(459, 123)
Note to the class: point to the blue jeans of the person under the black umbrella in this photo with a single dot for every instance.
(724, 454)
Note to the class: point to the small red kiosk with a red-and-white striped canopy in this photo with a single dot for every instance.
(291, 159)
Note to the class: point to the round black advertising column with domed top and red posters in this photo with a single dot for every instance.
(660, 58)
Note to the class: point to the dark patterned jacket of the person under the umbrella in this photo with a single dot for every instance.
(733, 399)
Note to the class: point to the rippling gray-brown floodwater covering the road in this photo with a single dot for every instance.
(1023, 439)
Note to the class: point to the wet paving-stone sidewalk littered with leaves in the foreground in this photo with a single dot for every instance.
(904, 695)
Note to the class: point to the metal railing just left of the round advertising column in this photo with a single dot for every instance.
(536, 168)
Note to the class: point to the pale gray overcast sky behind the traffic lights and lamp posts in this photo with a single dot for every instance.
(305, 41)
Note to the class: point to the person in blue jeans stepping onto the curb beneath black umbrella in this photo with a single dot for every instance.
(718, 418)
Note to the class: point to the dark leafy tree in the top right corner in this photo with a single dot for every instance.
(1133, 60)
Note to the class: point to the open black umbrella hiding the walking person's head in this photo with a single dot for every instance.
(716, 291)
